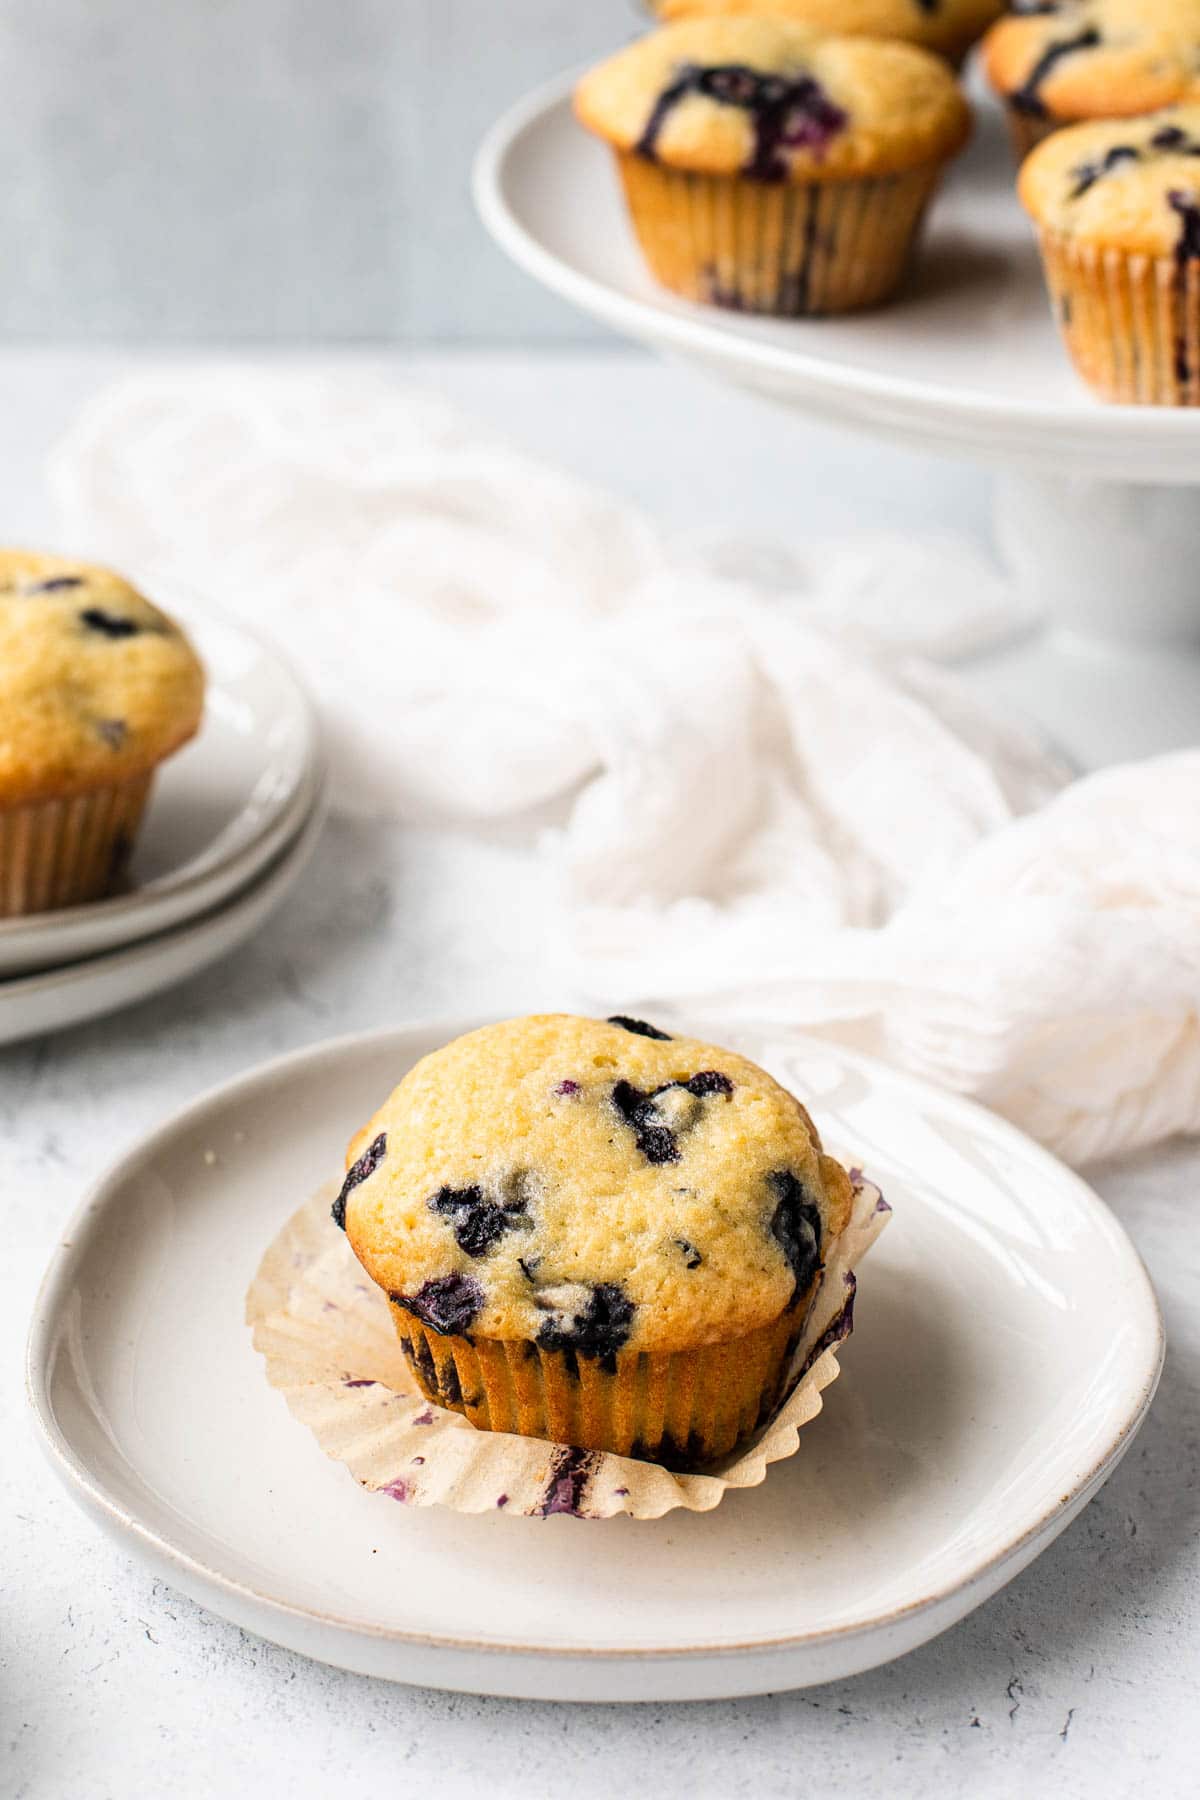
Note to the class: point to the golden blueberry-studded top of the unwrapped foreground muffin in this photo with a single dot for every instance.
(593, 1185)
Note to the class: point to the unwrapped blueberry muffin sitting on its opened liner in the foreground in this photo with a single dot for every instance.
(596, 1234)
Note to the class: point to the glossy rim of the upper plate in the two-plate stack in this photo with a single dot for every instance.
(181, 885)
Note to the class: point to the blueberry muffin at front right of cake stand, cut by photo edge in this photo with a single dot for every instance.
(1118, 215)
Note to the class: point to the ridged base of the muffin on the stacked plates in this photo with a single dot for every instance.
(66, 852)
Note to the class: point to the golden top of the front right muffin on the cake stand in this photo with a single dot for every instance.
(1129, 184)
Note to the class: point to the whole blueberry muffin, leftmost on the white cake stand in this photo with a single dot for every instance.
(771, 170)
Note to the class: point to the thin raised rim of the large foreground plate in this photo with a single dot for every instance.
(96, 1498)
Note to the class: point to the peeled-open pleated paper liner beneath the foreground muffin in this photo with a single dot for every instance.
(327, 1335)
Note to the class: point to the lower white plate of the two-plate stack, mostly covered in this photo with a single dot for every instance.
(33, 1005)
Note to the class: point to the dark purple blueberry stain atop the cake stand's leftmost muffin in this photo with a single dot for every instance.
(785, 112)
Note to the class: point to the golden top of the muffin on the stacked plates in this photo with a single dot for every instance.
(96, 685)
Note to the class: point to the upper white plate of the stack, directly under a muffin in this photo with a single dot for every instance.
(219, 813)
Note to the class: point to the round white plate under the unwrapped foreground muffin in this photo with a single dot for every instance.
(1007, 1349)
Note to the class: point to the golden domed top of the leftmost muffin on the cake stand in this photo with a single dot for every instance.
(775, 102)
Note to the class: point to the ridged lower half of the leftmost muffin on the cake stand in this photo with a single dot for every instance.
(789, 249)
